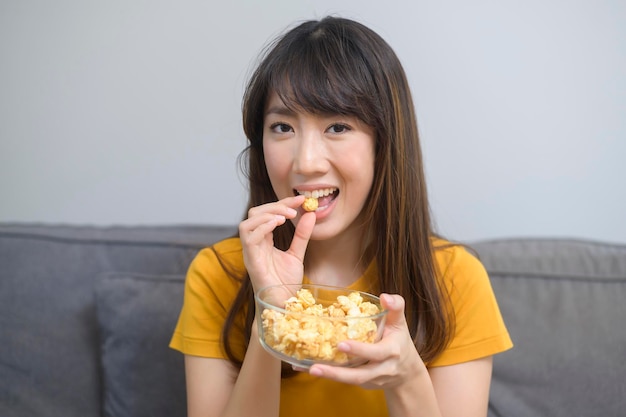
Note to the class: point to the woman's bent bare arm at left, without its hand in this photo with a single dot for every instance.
(215, 388)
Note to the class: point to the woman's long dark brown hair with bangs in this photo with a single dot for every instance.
(337, 65)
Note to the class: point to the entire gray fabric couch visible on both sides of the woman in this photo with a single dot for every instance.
(86, 314)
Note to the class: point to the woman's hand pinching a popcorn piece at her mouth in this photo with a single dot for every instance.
(266, 264)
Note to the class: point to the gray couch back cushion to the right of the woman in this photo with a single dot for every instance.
(563, 303)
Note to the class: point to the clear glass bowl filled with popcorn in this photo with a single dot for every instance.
(302, 323)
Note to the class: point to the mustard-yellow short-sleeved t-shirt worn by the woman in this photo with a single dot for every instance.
(209, 291)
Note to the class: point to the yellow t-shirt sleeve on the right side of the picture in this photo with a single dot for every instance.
(479, 329)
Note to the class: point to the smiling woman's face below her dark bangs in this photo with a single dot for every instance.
(331, 156)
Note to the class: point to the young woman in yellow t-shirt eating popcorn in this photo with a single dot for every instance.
(328, 111)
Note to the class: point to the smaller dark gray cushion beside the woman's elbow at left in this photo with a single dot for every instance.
(137, 314)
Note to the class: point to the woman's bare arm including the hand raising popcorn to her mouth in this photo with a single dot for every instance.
(214, 387)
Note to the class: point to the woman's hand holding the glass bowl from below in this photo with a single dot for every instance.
(391, 361)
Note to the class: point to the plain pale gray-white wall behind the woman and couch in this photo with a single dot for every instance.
(128, 112)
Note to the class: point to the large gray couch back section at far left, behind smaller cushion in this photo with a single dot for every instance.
(49, 355)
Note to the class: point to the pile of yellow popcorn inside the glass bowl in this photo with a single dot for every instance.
(312, 331)
